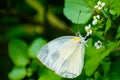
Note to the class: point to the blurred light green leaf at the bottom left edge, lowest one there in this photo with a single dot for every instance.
(17, 73)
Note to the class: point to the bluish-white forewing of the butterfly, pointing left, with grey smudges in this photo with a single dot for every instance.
(49, 50)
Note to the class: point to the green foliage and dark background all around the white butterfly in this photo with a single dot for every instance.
(27, 25)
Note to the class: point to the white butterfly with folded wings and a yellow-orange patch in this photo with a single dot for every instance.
(64, 55)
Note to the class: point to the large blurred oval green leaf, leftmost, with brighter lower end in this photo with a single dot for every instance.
(18, 52)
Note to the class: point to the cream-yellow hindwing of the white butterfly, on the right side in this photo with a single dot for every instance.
(71, 60)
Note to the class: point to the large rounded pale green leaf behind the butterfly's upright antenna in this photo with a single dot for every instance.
(72, 9)
